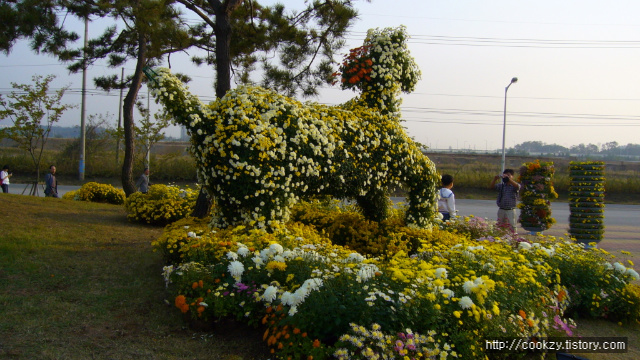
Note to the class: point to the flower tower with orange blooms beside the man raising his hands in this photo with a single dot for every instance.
(536, 194)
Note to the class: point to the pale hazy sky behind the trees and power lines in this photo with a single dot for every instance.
(576, 64)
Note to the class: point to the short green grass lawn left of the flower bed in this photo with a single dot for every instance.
(77, 281)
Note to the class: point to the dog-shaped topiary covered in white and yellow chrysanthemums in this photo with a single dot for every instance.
(258, 152)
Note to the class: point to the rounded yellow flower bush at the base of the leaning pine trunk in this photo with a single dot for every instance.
(162, 205)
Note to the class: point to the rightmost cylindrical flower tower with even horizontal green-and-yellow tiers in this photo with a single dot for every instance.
(586, 201)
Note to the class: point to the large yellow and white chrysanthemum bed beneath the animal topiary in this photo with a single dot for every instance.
(317, 299)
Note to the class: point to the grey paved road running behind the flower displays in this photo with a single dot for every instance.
(622, 222)
